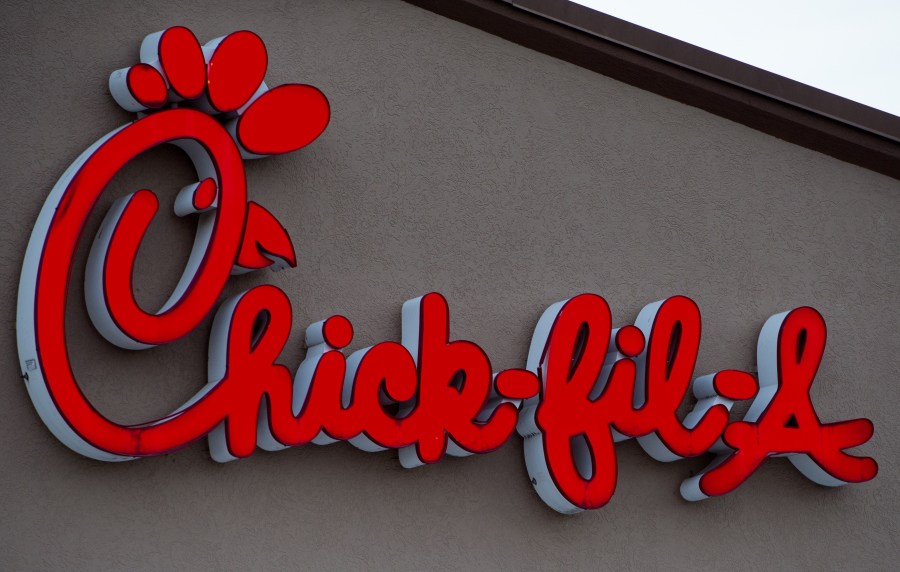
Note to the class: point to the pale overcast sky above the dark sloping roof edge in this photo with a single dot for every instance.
(848, 47)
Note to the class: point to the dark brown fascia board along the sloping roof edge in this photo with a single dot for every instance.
(773, 104)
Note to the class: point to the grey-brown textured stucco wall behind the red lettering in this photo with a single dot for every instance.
(505, 179)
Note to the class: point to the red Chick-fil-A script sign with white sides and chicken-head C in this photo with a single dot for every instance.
(586, 384)
